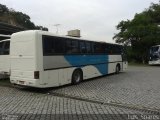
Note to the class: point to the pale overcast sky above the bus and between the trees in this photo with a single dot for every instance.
(97, 19)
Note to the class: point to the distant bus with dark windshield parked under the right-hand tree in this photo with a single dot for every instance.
(154, 55)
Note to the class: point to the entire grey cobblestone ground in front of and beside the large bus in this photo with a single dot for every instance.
(136, 91)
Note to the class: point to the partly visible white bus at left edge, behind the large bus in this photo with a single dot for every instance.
(4, 58)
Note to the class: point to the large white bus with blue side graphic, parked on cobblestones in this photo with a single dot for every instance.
(42, 59)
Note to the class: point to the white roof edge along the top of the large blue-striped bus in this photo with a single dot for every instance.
(52, 34)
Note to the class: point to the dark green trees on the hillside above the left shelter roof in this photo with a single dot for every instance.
(18, 18)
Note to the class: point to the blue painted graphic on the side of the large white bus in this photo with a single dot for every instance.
(77, 60)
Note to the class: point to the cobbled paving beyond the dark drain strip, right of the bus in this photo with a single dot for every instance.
(139, 86)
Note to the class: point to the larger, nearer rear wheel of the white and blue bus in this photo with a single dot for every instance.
(77, 76)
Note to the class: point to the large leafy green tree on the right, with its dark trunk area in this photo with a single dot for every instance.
(141, 32)
